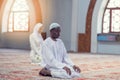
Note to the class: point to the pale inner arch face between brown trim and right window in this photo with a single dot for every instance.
(97, 23)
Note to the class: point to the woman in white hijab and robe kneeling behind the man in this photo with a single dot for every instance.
(36, 41)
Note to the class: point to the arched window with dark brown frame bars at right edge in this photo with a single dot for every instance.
(111, 18)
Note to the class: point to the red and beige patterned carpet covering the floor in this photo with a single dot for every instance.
(15, 65)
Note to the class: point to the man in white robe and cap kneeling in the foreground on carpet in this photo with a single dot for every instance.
(56, 58)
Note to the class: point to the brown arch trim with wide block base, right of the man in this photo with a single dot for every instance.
(84, 40)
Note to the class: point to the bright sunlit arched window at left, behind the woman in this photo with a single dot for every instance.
(19, 16)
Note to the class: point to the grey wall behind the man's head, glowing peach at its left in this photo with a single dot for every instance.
(59, 11)
